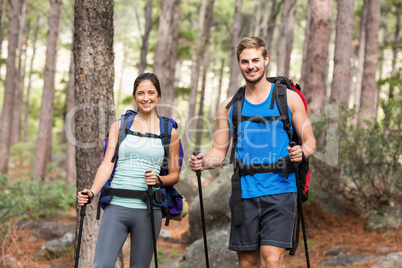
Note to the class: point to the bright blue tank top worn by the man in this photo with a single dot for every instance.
(259, 143)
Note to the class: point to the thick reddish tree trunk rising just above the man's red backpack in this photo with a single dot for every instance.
(315, 62)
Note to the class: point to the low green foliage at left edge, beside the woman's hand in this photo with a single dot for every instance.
(24, 198)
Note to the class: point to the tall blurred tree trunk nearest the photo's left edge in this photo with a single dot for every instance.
(19, 79)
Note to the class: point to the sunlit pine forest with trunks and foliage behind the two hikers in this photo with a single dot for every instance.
(67, 70)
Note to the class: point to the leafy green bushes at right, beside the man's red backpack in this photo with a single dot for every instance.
(369, 172)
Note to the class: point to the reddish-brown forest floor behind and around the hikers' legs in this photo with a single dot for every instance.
(324, 232)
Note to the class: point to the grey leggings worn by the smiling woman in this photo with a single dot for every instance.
(116, 223)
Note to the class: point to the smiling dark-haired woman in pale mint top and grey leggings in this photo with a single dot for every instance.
(139, 164)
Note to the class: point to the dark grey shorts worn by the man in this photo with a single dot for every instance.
(267, 220)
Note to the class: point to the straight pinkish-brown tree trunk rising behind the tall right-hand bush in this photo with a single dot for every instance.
(367, 102)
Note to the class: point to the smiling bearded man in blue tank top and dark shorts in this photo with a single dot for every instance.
(268, 200)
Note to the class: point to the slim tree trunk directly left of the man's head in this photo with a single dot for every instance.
(234, 80)
